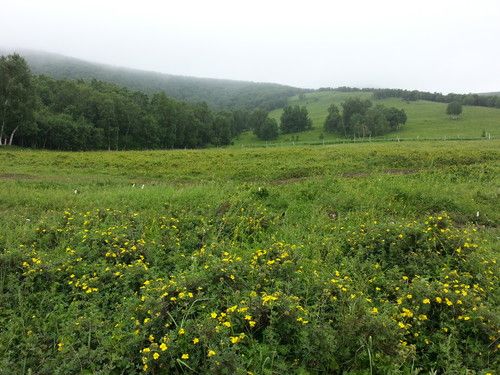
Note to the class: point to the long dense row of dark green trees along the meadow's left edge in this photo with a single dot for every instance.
(42, 112)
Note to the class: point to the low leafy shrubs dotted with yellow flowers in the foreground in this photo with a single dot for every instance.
(116, 308)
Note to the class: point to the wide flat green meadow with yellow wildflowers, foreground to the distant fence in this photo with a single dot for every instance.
(355, 258)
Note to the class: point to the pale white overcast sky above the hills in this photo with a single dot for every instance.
(439, 45)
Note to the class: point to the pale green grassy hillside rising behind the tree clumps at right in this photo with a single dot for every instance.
(425, 119)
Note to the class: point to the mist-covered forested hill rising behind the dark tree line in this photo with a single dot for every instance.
(220, 93)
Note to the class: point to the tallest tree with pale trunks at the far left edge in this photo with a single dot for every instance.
(17, 99)
